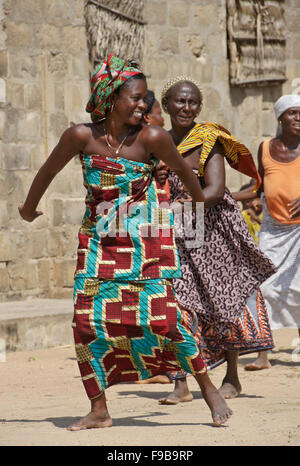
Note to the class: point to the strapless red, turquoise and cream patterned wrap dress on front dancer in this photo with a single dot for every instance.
(127, 323)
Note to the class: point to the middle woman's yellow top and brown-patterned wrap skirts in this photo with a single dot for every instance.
(219, 292)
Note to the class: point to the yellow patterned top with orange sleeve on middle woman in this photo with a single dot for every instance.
(236, 153)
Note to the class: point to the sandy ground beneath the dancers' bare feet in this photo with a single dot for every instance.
(41, 394)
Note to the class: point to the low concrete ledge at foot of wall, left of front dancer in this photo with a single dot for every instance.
(35, 324)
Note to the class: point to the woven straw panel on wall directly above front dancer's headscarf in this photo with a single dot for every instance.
(114, 26)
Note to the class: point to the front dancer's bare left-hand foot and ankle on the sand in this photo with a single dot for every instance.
(97, 417)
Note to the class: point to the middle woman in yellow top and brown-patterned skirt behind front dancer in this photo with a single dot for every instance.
(219, 290)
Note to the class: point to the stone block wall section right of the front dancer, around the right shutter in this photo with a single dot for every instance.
(188, 37)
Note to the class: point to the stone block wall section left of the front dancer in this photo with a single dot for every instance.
(44, 86)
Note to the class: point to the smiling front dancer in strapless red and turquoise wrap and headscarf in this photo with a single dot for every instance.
(127, 324)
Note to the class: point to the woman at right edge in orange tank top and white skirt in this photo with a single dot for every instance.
(279, 239)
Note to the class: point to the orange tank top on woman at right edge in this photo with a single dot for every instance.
(281, 185)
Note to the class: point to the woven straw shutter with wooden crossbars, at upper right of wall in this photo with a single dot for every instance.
(256, 41)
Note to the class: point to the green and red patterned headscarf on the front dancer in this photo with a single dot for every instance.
(107, 77)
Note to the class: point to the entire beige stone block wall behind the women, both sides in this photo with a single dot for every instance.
(44, 85)
